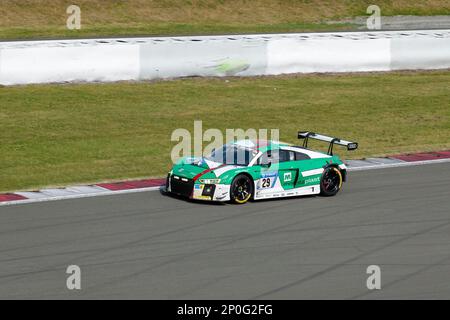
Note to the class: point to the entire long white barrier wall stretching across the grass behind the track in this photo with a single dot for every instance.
(246, 55)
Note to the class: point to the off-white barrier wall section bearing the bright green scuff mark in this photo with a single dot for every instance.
(202, 58)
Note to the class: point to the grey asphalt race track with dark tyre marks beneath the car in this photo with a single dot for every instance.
(148, 245)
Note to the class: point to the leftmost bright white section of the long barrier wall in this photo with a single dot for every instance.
(61, 64)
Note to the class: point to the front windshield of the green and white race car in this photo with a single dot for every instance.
(232, 155)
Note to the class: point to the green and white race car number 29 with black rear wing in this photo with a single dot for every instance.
(246, 169)
